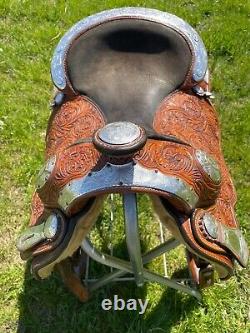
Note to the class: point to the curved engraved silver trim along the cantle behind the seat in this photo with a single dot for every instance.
(200, 55)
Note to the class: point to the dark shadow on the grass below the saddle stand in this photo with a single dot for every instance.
(47, 307)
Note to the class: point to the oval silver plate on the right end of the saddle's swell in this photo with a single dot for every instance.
(209, 165)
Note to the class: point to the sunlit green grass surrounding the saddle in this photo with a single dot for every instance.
(29, 31)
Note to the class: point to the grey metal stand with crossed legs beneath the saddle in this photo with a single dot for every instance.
(135, 266)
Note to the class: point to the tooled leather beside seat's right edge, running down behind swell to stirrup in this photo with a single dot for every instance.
(195, 121)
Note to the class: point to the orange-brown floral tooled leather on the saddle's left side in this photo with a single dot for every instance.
(76, 119)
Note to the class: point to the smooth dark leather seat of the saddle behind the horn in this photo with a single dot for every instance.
(141, 61)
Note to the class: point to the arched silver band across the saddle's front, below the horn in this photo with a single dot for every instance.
(111, 177)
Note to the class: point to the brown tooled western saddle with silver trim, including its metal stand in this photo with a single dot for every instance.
(132, 113)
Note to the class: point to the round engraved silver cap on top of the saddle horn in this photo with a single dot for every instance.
(119, 133)
